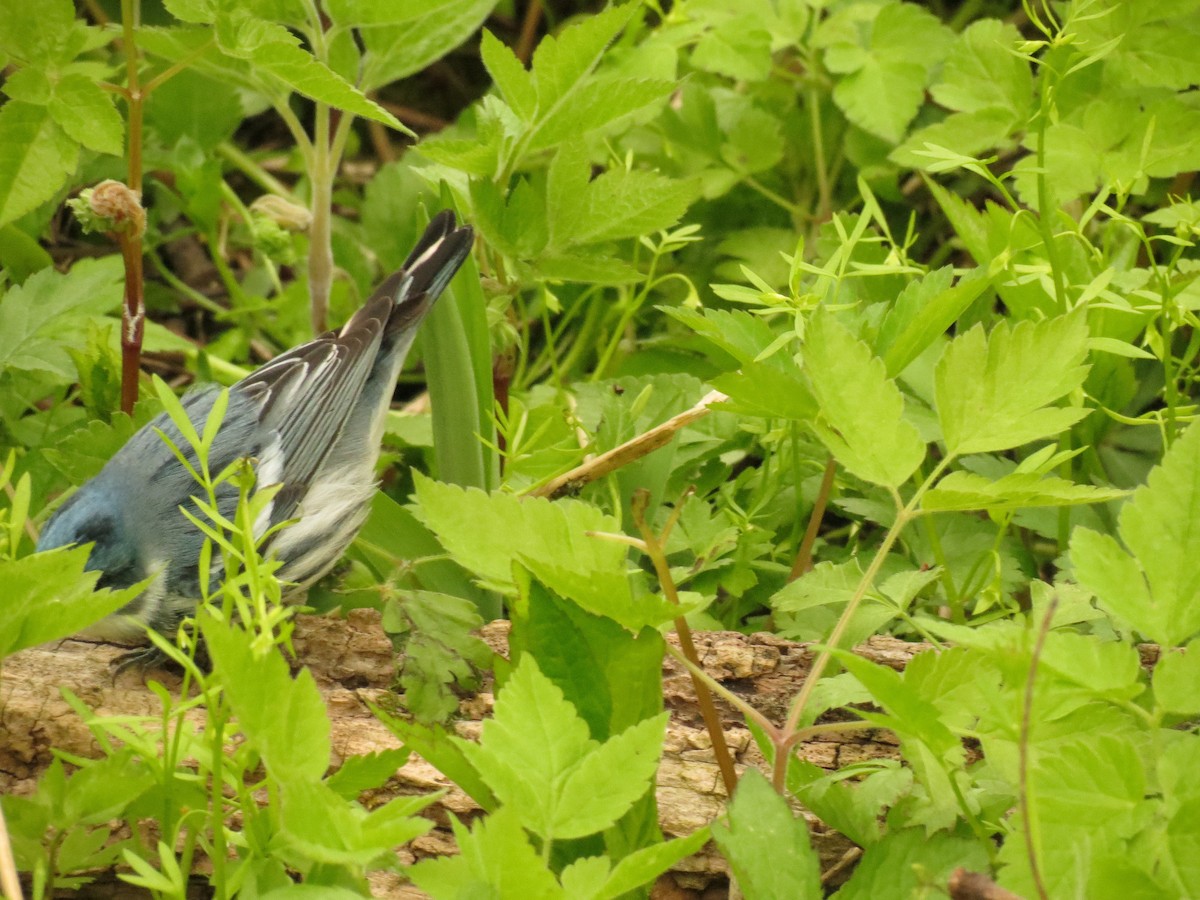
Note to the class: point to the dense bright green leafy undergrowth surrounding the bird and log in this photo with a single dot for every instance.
(910, 292)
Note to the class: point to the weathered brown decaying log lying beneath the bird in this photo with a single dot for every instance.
(353, 663)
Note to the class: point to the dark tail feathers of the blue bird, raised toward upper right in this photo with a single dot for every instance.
(434, 262)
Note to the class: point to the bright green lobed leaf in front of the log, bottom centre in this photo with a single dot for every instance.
(536, 754)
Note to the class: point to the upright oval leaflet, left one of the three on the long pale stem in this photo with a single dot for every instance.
(862, 412)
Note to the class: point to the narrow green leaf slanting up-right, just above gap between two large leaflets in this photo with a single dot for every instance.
(923, 313)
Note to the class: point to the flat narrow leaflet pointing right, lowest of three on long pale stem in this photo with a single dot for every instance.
(1019, 490)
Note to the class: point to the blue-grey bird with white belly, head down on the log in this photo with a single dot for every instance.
(314, 421)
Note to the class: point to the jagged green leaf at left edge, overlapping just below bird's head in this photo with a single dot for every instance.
(49, 596)
